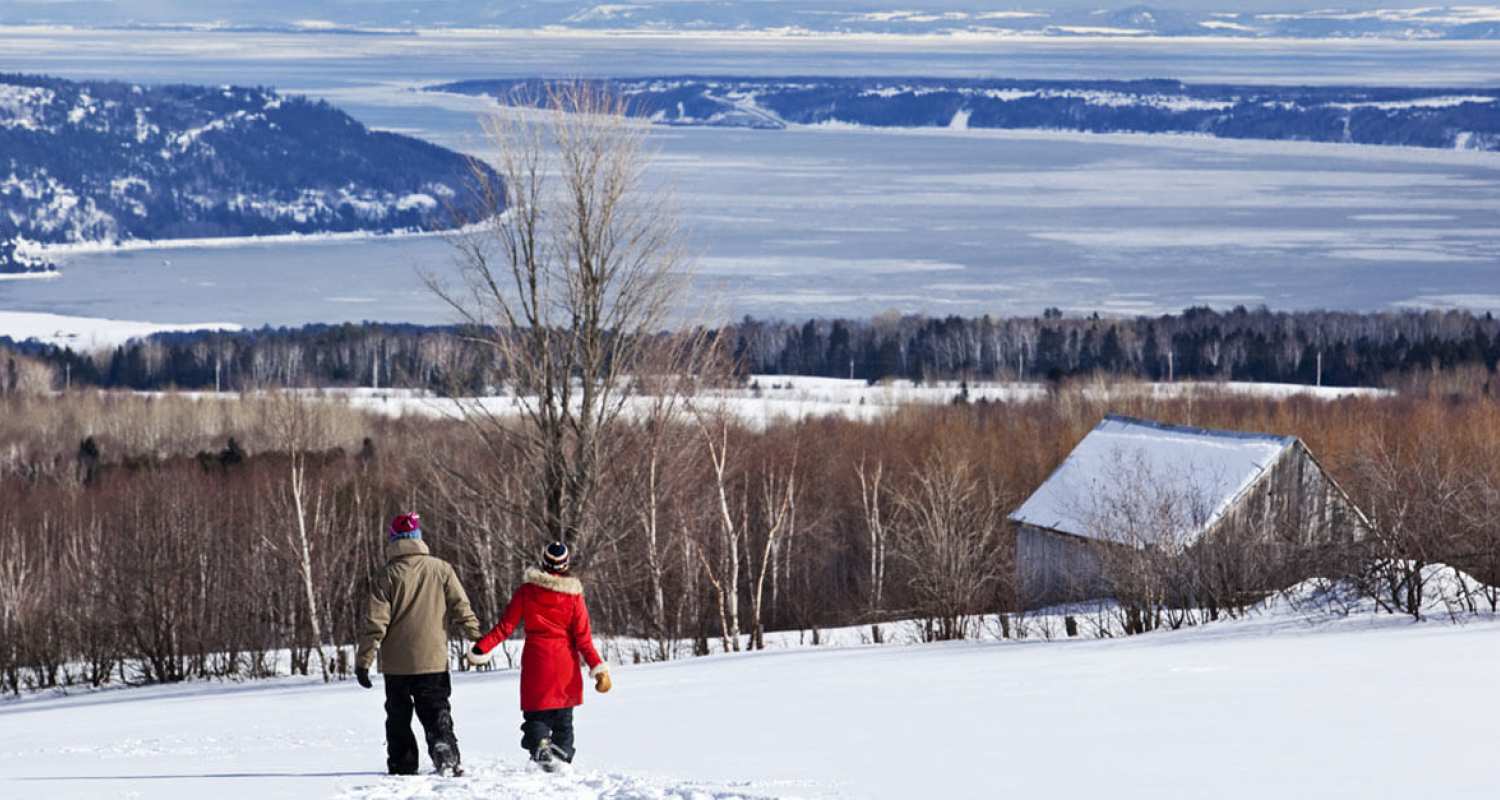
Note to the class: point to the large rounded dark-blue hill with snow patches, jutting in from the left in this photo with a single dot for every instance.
(109, 163)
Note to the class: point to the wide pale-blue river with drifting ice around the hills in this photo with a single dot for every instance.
(853, 223)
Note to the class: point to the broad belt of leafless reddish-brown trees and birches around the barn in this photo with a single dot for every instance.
(190, 561)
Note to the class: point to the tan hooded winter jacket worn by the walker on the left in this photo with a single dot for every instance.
(413, 603)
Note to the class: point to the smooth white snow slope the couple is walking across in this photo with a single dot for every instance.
(1276, 708)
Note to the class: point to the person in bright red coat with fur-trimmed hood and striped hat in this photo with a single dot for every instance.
(550, 606)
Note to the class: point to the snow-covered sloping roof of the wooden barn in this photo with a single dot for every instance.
(1130, 468)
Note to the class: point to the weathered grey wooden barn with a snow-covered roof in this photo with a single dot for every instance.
(1141, 484)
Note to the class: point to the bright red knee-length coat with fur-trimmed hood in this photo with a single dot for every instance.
(551, 609)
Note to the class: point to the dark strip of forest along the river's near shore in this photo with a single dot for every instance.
(1318, 347)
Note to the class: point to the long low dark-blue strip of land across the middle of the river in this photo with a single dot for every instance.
(1390, 116)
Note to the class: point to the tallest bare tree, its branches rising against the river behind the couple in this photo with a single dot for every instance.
(566, 277)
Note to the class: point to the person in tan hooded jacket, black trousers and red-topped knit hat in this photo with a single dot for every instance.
(415, 601)
